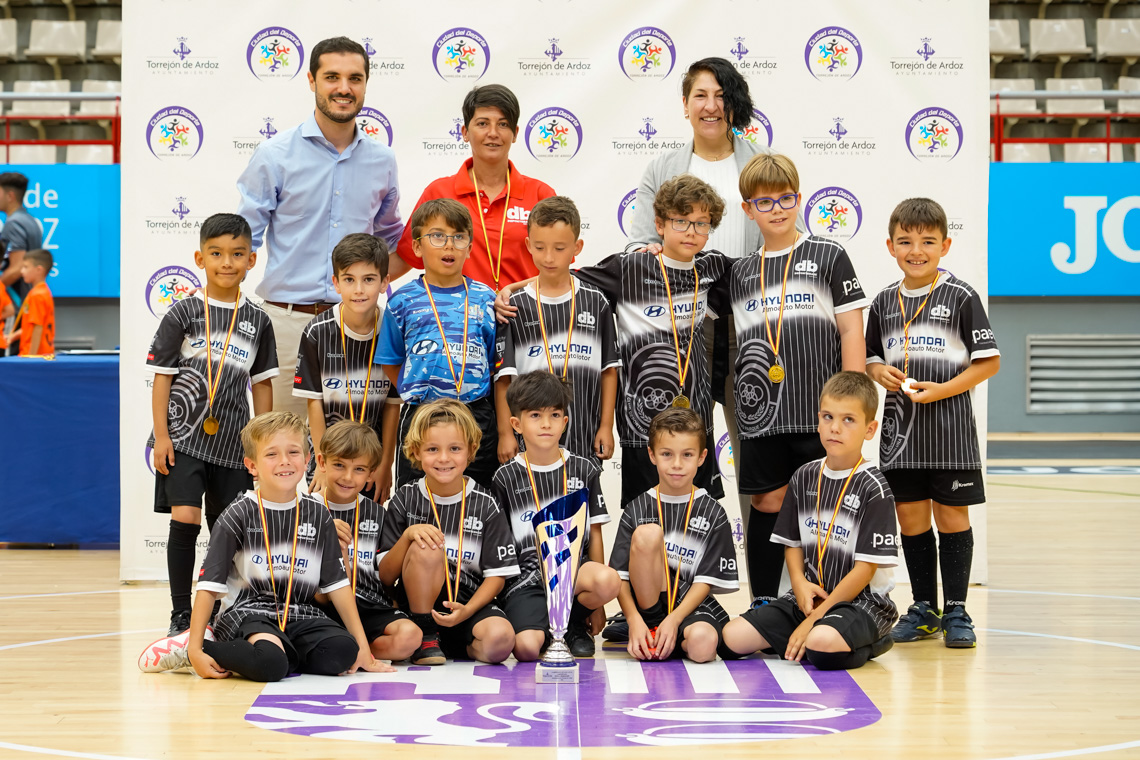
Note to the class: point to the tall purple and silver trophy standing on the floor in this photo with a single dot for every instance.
(560, 530)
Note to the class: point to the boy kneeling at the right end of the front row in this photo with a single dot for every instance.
(837, 526)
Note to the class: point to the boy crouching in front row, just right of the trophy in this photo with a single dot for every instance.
(675, 537)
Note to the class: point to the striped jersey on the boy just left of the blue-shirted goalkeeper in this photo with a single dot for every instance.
(322, 372)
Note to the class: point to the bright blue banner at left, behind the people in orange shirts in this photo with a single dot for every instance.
(78, 208)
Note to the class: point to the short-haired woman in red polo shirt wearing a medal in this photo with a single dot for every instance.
(499, 198)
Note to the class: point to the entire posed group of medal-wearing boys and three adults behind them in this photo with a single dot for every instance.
(371, 460)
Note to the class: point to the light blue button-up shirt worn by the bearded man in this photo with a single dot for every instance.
(302, 198)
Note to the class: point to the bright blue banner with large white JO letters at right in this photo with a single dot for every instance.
(1064, 230)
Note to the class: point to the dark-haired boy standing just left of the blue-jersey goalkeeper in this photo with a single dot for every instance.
(335, 367)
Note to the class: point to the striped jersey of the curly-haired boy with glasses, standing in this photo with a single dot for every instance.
(650, 379)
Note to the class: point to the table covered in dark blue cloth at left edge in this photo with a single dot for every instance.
(60, 448)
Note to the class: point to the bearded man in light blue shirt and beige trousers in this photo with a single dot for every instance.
(308, 187)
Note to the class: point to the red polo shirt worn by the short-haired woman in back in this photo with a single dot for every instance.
(517, 261)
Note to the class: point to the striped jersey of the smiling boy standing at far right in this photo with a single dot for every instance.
(952, 331)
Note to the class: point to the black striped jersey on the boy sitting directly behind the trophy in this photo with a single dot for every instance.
(518, 500)
